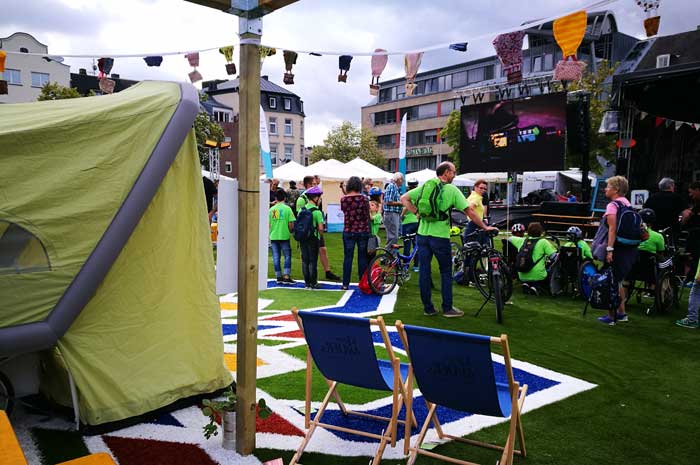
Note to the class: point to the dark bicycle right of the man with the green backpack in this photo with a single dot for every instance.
(489, 270)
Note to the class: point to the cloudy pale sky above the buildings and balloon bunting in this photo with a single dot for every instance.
(153, 26)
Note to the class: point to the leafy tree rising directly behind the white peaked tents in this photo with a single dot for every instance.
(346, 142)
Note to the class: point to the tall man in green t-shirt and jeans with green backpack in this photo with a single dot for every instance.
(434, 239)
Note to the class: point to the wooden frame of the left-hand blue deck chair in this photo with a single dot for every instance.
(389, 435)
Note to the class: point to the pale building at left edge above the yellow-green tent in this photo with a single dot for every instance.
(26, 73)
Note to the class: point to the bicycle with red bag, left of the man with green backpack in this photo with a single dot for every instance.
(389, 267)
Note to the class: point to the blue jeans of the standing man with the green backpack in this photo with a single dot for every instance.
(440, 247)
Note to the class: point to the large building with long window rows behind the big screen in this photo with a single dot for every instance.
(443, 90)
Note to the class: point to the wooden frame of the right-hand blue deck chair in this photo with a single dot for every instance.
(517, 395)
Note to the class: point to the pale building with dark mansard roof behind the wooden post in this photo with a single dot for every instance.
(284, 113)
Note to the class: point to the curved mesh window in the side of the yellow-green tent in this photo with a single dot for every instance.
(20, 250)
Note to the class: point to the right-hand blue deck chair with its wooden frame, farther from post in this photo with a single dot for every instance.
(455, 370)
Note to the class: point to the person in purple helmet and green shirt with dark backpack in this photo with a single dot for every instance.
(308, 231)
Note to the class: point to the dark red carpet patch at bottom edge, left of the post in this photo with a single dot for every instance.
(130, 451)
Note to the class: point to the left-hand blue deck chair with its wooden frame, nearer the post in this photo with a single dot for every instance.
(343, 351)
